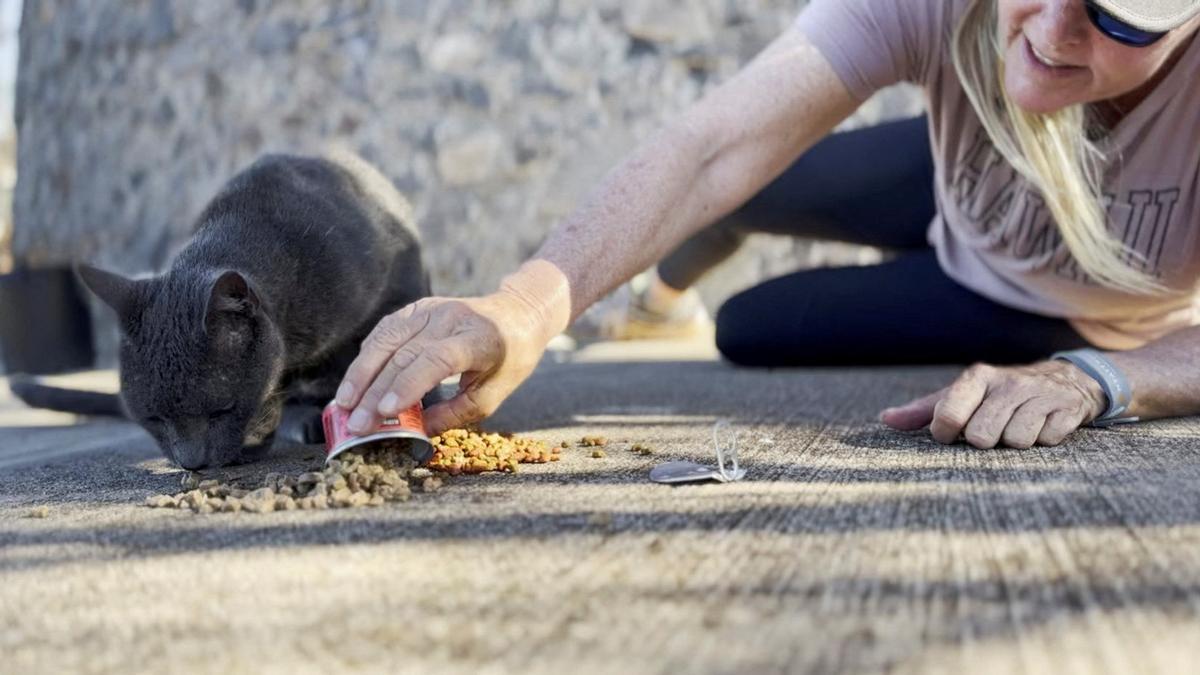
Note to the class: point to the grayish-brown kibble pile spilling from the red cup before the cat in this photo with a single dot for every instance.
(379, 476)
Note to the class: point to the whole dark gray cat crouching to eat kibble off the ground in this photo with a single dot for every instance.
(290, 268)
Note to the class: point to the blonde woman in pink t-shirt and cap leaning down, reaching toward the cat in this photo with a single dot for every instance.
(1066, 160)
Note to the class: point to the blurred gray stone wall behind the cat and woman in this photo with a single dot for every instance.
(494, 117)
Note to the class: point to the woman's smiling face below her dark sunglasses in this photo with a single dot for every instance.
(1054, 57)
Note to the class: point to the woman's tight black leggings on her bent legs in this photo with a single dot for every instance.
(873, 187)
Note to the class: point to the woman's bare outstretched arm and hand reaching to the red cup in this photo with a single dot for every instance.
(700, 168)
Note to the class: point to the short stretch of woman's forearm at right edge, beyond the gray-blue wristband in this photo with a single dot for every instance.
(1165, 375)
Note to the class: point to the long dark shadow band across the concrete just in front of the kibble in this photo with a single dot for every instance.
(1009, 511)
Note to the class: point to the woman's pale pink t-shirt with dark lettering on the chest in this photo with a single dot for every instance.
(993, 232)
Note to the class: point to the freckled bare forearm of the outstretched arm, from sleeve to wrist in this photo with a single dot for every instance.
(715, 158)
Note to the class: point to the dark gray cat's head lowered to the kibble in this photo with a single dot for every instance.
(201, 362)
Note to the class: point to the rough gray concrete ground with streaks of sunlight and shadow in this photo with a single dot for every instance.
(848, 548)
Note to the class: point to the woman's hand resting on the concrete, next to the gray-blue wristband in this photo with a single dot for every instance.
(1015, 407)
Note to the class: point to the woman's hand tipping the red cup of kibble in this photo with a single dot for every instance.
(494, 342)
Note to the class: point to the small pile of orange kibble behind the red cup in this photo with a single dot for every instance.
(460, 451)
